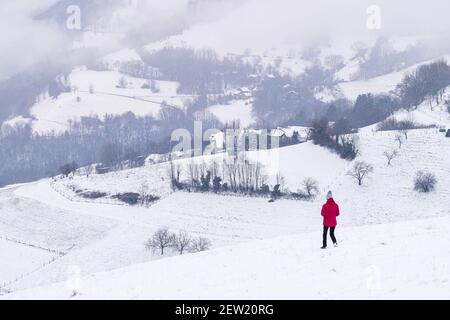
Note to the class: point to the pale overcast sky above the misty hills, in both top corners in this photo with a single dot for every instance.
(232, 25)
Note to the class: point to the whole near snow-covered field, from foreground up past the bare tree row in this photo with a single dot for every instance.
(388, 232)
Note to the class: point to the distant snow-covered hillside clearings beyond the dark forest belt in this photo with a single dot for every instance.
(97, 93)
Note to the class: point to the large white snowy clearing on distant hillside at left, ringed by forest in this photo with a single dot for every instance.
(96, 93)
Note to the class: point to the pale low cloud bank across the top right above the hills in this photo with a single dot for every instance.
(262, 24)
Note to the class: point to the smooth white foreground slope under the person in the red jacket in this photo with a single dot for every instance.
(395, 261)
